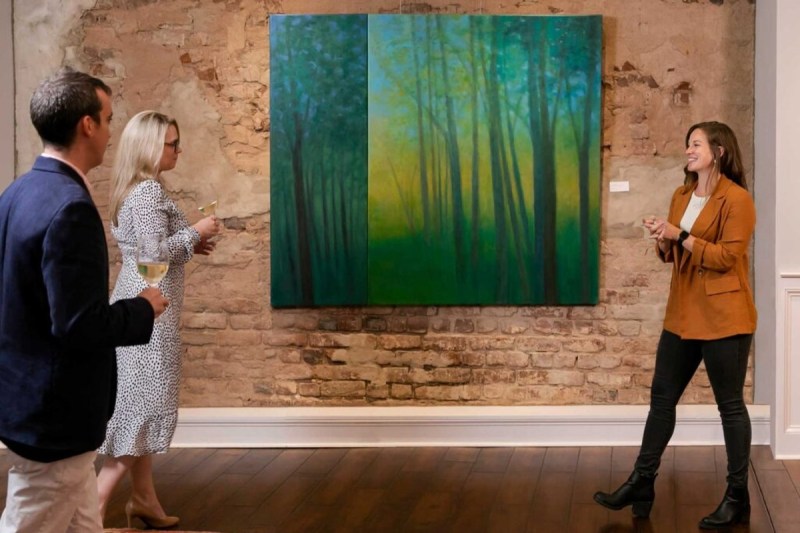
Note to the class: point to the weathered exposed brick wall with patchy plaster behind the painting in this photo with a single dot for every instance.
(667, 64)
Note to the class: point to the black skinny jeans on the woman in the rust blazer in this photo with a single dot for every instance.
(726, 365)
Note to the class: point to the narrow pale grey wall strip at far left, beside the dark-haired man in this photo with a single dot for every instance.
(7, 148)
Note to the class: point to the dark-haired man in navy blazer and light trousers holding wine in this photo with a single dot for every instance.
(57, 330)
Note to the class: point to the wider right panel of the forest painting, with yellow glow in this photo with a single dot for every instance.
(484, 159)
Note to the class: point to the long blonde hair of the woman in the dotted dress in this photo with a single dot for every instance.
(138, 155)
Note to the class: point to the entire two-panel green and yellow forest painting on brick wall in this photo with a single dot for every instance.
(435, 160)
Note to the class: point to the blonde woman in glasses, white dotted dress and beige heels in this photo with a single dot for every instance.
(146, 410)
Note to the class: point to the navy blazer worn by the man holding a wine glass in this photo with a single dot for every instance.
(58, 331)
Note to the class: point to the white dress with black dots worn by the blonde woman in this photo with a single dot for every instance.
(146, 411)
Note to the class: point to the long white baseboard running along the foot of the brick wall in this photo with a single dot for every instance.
(316, 427)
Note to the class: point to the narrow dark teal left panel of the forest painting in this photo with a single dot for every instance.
(318, 160)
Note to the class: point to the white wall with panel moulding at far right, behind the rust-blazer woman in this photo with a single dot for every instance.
(777, 244)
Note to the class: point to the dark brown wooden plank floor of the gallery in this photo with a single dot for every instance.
(546, 490)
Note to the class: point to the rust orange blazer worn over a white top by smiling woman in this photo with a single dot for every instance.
(710, 295)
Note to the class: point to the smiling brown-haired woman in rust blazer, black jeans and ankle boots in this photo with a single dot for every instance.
(710, 317)
